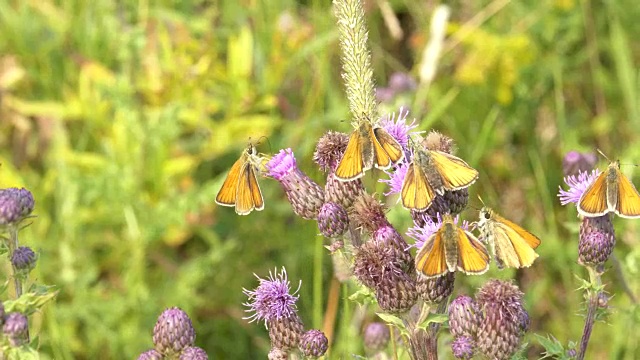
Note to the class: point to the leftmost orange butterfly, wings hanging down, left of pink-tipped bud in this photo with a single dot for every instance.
(240, 188)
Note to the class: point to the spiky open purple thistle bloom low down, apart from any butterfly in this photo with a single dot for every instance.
(271, 300)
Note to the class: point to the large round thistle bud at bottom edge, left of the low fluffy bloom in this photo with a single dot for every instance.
(173, 332)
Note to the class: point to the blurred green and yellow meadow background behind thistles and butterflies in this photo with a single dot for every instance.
(123, 117)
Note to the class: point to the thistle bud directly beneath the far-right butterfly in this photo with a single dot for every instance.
(597, 239)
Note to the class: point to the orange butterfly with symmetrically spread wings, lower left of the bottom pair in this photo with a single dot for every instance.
(451, 248)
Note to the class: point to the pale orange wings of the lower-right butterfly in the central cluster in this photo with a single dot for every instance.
(514, 245)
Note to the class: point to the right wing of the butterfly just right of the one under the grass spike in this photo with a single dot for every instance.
(455, 173)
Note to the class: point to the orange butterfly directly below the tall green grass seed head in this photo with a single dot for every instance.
(368, 146)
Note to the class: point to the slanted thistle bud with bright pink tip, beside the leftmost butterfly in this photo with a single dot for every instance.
(305, 195)
